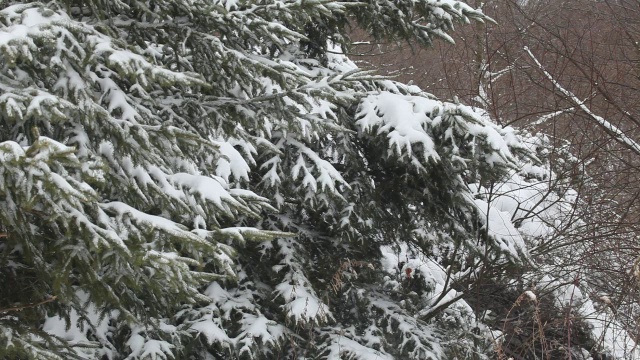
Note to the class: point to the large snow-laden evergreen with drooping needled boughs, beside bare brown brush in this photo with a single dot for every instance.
(144, 144)
